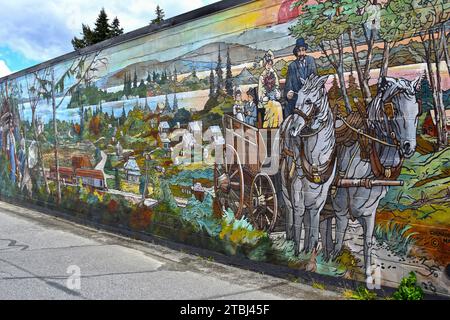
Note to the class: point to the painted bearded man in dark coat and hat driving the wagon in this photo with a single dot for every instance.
(301, 68)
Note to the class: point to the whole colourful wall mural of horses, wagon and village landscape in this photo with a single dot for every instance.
(311, 134)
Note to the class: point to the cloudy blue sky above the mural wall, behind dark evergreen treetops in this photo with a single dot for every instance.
(34, 31)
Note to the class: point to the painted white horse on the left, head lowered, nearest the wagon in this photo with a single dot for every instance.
(308, 167)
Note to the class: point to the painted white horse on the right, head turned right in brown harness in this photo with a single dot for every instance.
(398, 130)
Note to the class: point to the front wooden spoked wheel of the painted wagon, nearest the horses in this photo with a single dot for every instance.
(264, 203)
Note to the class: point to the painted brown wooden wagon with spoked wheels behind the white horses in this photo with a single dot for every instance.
(239, 183)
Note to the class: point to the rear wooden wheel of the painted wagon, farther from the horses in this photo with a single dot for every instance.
(229, 182)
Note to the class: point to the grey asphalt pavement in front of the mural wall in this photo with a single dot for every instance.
(40, 257)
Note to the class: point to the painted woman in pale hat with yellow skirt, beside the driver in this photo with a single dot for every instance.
(269, 93)
